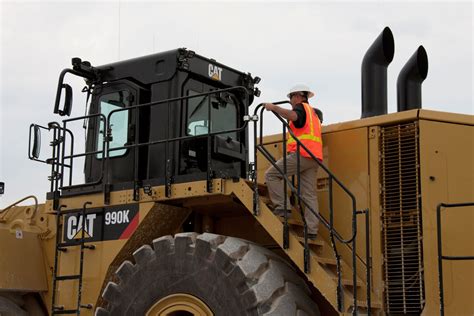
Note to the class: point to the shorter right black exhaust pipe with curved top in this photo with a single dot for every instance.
(410, 79)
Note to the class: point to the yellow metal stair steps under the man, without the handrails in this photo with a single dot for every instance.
(322, 262)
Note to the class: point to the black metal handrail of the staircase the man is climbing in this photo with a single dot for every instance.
(329, 225)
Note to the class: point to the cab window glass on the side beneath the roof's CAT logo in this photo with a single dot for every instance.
(223, 114)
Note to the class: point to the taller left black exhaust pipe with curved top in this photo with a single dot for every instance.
(374, 74)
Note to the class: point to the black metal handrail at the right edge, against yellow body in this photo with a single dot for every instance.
(441, 257)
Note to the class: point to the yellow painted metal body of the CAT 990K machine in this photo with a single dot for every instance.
(439, 159)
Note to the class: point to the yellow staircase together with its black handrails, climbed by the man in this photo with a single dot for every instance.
(337, 281)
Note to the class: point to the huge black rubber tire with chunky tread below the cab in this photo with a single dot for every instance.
(231, 276)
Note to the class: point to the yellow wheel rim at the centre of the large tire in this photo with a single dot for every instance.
(179, 305)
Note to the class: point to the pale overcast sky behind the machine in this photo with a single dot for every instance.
(317, 43)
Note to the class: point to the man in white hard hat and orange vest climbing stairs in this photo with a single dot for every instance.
(305, 125)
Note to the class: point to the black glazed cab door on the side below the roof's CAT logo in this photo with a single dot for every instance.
(216, 112)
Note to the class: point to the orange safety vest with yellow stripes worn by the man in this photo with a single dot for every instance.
(309, 135)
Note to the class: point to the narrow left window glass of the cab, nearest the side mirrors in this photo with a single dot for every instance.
(118, 121)
